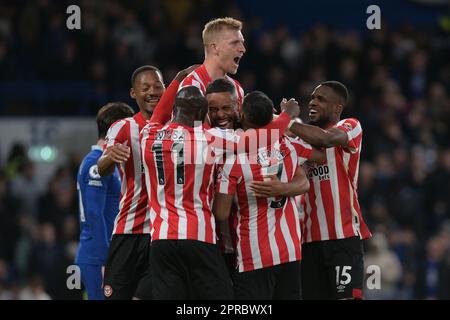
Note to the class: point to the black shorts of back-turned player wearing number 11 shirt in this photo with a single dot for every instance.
(189, 269)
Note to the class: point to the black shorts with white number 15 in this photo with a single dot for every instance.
(332, 269)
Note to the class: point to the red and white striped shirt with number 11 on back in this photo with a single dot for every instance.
(180, 166)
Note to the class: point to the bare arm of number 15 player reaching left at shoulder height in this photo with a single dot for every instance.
(319, 137)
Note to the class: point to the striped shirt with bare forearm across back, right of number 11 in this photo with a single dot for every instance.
(267, 230)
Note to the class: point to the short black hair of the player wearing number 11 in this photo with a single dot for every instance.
(189, 101)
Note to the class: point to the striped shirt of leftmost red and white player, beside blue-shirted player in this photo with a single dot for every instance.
(134, 215)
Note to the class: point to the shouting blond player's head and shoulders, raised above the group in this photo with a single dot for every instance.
(224, 48)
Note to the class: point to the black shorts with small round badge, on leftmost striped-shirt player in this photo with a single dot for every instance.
(127, 269)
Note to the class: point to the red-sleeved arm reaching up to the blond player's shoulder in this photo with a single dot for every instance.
(163, 109)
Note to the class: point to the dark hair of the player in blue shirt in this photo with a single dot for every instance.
(110, 113)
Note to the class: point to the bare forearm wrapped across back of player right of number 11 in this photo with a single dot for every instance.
(273, 187)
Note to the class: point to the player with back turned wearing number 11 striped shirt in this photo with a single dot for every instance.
(180, 168)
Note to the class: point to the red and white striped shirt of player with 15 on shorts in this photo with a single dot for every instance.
(331, 205)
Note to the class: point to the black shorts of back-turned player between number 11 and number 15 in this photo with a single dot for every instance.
(280, 282)
